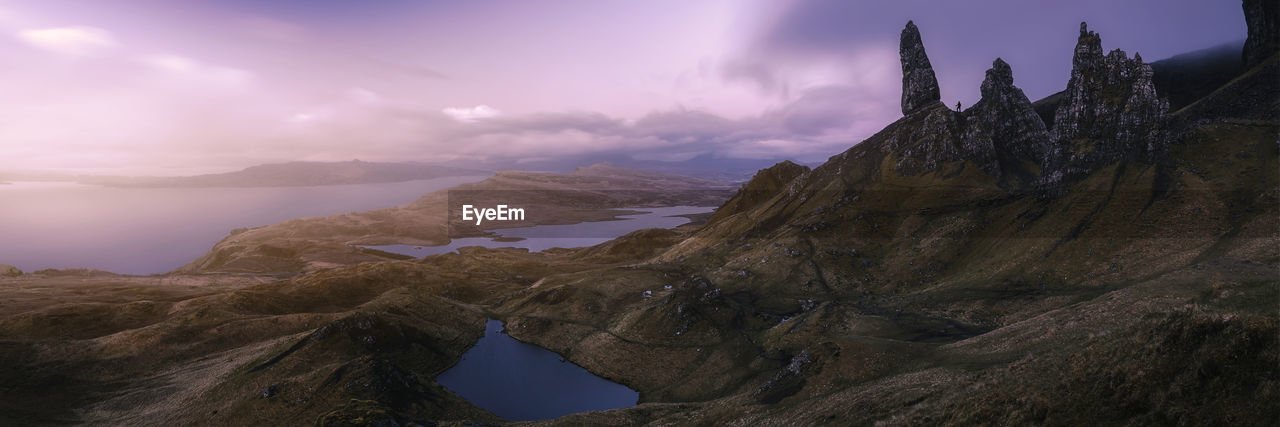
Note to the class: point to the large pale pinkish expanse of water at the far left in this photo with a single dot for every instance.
(154, 231)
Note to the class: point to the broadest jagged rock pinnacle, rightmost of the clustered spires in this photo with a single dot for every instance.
(1109, 112)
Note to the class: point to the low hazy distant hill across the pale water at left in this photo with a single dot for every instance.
(296, 175)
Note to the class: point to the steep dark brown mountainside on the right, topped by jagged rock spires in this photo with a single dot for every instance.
(968, 268)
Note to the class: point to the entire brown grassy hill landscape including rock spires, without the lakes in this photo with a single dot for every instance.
(984, 267)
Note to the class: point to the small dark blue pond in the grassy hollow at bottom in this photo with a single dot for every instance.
(522, 382)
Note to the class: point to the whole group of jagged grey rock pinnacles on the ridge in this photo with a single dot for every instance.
(1109, 112)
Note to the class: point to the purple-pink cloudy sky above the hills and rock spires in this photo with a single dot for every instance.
(164, 88)
